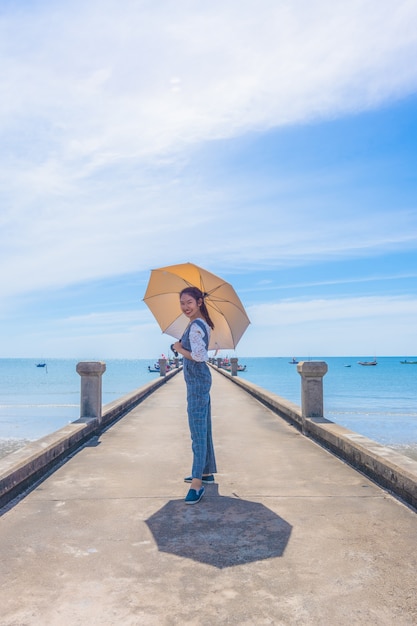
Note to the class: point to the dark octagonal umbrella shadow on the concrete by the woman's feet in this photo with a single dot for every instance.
(219, 531)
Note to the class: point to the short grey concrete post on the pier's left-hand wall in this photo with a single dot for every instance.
(91, 388)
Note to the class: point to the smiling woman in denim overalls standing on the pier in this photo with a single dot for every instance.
(193, 346)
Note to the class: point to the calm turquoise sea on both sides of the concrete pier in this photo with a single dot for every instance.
(379, 402)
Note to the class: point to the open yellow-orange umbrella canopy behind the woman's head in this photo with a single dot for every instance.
(223, 304)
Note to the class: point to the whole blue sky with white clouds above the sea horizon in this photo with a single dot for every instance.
(272, 143)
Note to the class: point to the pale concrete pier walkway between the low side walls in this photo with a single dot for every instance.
(289, 534)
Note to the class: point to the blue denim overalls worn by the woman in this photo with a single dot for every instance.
(197, 377)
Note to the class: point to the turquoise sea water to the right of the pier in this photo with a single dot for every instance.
(379, 402)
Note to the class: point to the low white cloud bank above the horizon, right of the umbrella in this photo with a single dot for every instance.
(332, 327)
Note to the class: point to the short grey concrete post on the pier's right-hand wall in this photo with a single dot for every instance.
(312, 373)
